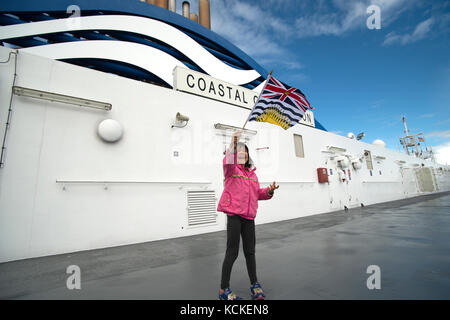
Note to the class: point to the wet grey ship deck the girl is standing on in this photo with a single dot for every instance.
(323, 256)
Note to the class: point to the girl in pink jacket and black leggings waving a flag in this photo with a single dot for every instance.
(239, 201)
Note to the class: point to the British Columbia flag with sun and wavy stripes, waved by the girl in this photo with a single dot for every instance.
(279, 104)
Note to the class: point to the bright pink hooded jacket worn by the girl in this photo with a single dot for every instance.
(242, 191)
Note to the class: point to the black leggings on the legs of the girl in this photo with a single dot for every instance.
(236, 227)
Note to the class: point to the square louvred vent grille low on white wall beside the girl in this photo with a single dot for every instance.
(201, 207)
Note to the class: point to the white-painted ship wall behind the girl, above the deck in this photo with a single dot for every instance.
(63, 189)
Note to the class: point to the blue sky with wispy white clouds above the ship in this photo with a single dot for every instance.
(358, 79)
